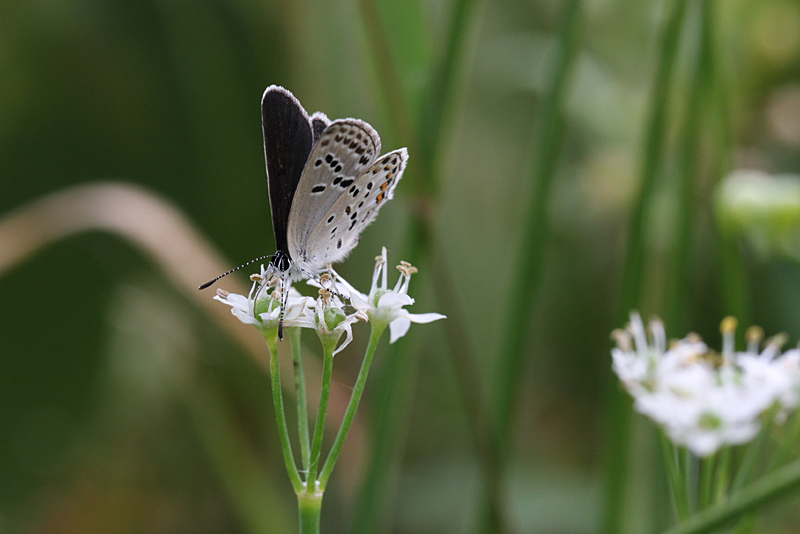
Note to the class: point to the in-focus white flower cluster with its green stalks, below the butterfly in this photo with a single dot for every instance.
(382, 307)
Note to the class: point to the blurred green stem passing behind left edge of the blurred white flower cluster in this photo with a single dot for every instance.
(618, 408)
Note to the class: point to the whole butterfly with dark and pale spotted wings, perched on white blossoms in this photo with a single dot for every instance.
(326, 184)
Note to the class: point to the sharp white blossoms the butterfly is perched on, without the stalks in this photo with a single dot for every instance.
(326, 314)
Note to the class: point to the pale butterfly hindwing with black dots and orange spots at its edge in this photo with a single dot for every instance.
(338, 230)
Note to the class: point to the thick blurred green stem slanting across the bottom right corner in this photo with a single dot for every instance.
(766, 490)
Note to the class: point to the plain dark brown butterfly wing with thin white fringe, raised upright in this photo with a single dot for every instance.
(288, 139)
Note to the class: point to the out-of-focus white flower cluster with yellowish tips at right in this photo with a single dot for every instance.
(704, 399)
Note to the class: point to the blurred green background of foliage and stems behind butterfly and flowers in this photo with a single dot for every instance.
(125, 406)
